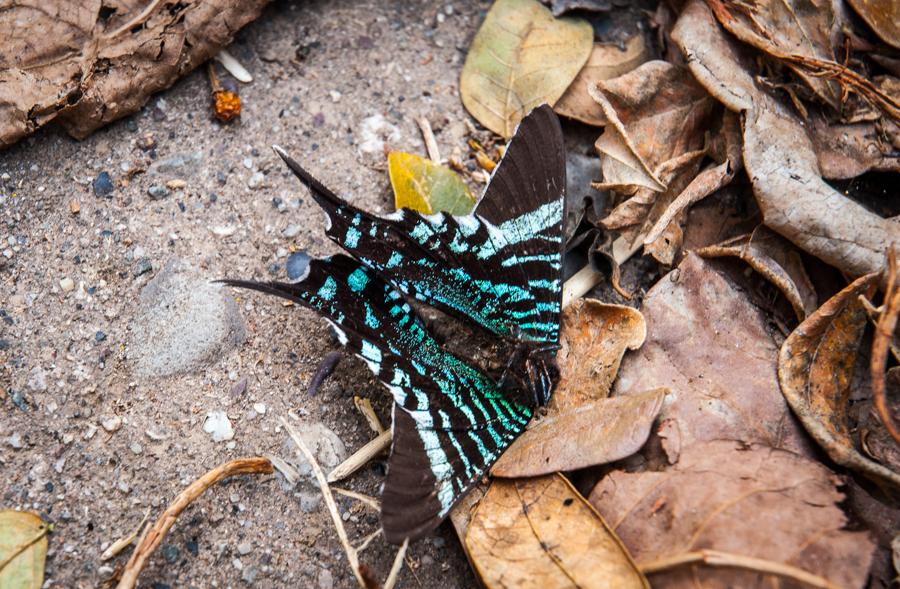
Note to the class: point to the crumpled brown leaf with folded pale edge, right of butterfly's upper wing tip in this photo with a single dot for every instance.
(656, 113)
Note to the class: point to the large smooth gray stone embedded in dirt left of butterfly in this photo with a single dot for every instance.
(183, 322)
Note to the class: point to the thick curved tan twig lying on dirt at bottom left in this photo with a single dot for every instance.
(153, 537)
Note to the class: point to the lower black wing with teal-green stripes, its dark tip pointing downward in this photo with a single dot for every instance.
(450, 422)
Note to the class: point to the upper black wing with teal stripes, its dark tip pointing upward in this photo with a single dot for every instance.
(499, 267)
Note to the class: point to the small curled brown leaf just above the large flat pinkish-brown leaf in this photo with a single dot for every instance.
(775, 258)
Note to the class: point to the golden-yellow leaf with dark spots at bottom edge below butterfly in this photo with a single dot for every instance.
(541, 533)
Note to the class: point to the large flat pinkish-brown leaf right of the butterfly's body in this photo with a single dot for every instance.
(710, 345)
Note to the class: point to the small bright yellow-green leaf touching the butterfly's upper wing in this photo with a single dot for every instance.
(427, 187)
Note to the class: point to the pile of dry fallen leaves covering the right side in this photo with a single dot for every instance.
(715, 430)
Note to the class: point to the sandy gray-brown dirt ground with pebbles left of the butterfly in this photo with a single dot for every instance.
(92, 433)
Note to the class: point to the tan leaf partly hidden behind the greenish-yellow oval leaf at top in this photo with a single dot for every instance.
(606, 62)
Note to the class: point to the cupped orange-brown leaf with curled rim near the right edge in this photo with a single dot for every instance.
(815, 368)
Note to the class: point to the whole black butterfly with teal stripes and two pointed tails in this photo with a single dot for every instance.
(499, 268)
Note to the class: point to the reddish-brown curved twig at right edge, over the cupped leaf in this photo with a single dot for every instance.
(881, 342)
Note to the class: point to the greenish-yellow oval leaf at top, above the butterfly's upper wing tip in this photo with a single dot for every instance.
(520, 58)
